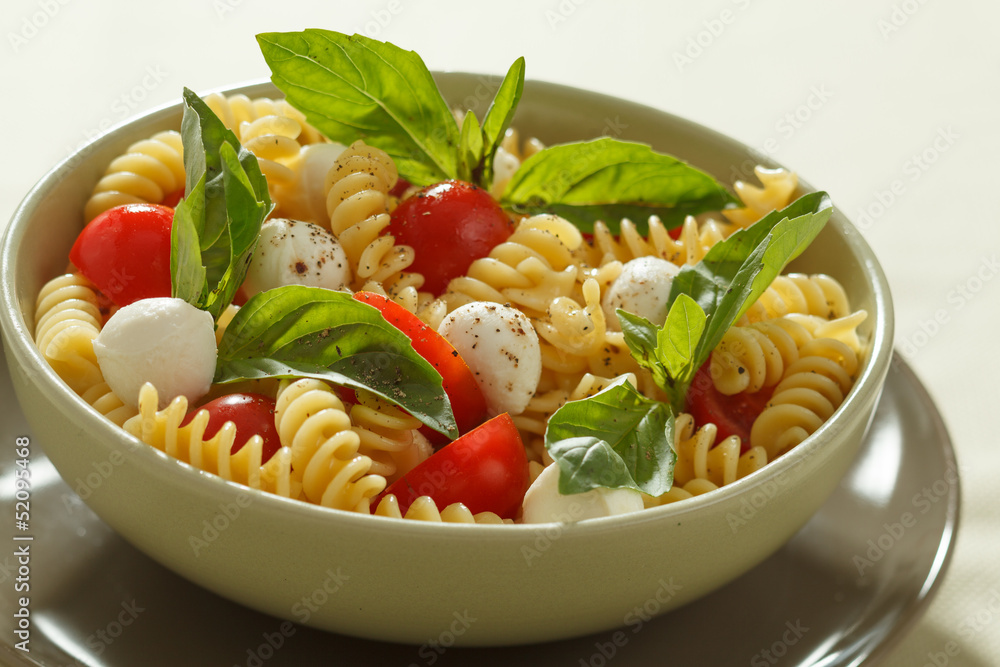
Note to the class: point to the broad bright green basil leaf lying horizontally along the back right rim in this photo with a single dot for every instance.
(607, 178)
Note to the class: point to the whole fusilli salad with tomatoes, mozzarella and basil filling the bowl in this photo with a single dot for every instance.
(362, 298)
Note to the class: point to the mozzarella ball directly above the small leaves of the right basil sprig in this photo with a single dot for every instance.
(642, 289)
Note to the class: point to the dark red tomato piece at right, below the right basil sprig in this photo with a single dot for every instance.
(733, 415)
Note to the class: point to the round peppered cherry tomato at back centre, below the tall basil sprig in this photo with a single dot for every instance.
(448, 225)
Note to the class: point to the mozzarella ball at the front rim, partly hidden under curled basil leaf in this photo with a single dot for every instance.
(543, 502)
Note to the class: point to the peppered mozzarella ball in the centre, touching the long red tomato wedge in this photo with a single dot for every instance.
(501, 348)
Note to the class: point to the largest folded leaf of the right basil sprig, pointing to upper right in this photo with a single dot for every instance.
(735, 272)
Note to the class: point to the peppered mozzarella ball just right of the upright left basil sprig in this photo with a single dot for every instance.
(291, 252)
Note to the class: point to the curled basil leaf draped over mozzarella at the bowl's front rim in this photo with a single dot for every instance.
(615, 439)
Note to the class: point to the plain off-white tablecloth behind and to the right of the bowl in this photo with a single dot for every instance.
(890, 105)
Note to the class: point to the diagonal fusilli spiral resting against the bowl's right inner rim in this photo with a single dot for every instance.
(810, 391)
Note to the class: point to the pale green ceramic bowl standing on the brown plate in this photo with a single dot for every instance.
(410, 581)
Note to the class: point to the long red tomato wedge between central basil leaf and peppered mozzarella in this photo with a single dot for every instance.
(467, 401)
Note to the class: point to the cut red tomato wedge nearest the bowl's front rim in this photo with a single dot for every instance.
(486, 469)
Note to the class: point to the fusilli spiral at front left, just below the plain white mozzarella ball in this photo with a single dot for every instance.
(162, 429)
